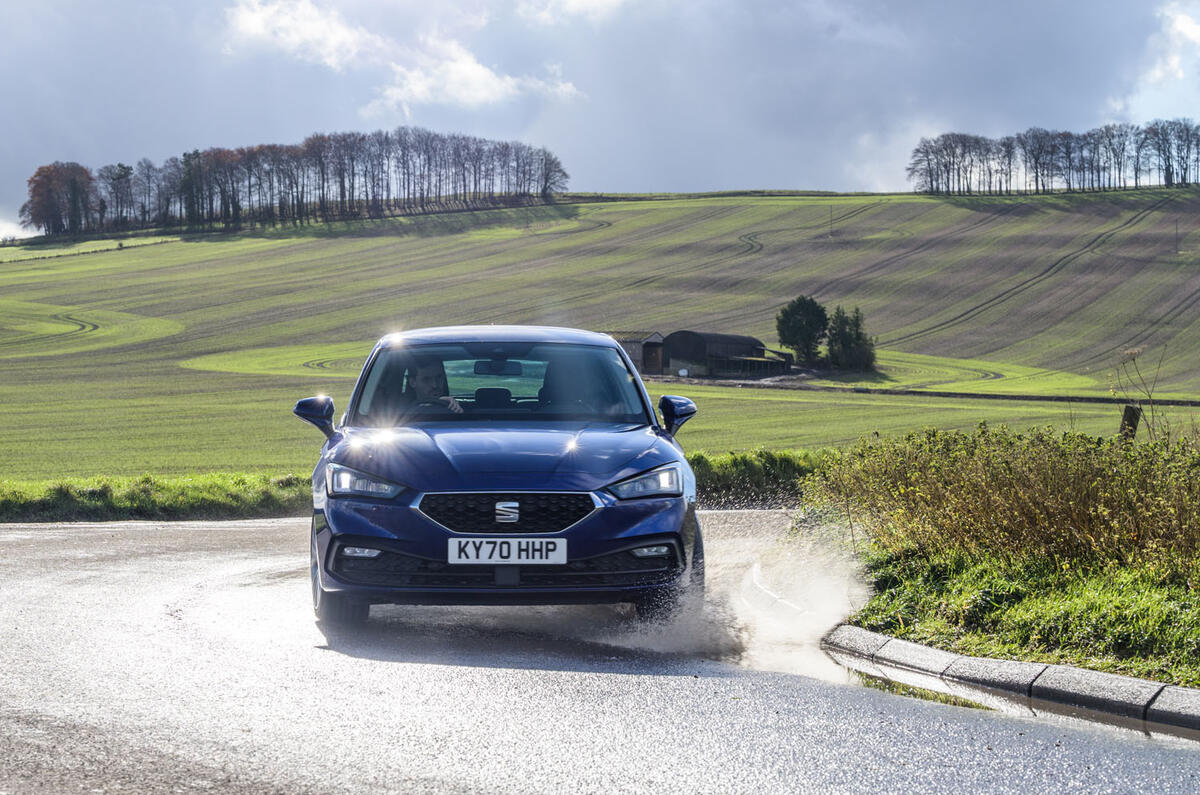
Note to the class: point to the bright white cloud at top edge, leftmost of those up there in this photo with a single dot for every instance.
(305, 32)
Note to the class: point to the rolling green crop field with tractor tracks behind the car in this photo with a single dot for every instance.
(184, 354)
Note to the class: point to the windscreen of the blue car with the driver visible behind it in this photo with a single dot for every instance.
(519, 382)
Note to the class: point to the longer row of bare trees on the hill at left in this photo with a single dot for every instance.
(328, 177)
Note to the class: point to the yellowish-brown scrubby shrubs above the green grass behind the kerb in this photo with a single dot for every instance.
(1065, 498)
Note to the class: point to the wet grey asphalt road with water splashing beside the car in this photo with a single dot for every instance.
(179, 657)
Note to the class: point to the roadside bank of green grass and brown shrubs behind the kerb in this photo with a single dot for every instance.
(1046, 547)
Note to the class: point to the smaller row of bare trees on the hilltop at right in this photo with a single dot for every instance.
(1037, 162)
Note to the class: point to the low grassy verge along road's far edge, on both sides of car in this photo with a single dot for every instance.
(761, 479)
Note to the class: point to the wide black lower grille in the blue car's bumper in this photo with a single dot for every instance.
(393, 570)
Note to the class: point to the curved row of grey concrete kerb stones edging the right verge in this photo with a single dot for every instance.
(1123, 696)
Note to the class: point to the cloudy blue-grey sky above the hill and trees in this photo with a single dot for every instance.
(633, 95)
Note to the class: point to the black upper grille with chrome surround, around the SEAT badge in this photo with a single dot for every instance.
(542, 512)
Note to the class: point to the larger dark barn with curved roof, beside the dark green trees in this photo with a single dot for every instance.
(707, 354)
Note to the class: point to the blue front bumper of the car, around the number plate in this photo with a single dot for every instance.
(413, 569)
